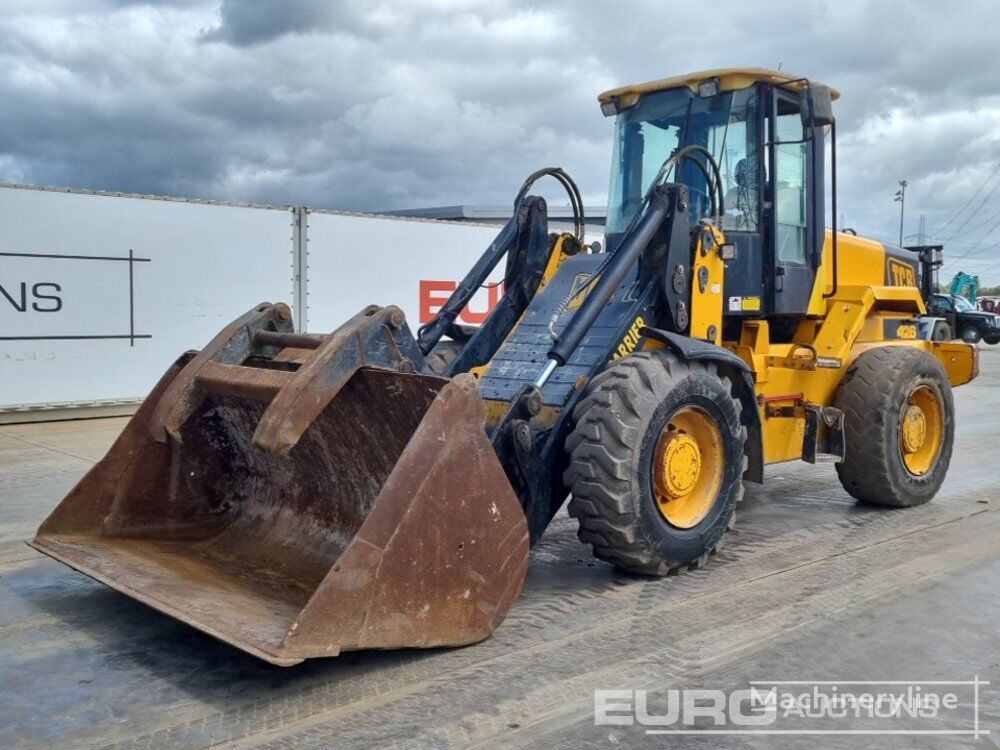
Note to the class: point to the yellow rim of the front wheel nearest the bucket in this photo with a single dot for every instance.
(687, 467)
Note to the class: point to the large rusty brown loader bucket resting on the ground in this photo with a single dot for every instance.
(387, 523)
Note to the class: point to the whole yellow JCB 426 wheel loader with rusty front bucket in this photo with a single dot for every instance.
(299, 495)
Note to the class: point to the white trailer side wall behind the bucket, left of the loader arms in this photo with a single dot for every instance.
(100, 292)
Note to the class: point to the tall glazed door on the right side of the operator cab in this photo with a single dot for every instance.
(795, 226)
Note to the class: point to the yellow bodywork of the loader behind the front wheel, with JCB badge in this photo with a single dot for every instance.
(863, 312)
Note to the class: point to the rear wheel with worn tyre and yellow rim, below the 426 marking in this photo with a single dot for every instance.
(883, 463)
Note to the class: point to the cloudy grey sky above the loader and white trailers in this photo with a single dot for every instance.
(378, 105)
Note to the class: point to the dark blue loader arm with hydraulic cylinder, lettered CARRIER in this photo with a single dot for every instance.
(596, 304)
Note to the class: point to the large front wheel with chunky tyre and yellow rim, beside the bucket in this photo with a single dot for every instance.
(626, 437)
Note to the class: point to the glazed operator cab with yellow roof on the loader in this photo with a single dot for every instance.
(769, 156)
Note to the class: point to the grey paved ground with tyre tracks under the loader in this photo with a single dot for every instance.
(809, 586)
